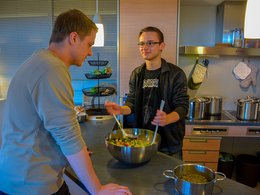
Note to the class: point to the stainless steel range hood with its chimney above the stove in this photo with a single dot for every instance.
(229, 15)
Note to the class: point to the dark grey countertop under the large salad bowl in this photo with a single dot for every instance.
(145, 179)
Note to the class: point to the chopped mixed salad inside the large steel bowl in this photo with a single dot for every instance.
(129, 142)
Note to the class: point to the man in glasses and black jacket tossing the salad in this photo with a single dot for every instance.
(153, 81)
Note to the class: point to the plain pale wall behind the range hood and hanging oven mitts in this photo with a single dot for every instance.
(197, 27)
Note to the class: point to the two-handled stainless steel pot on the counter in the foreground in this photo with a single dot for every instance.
(189, 188)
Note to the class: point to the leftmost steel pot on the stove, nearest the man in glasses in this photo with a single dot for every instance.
(197, 108)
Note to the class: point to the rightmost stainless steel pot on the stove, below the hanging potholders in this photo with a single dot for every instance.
(247, 109)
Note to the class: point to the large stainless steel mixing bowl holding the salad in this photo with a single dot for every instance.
(133, 155)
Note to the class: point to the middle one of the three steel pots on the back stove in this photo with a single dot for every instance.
(213, 105)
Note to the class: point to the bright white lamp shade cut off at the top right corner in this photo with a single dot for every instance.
(252, 22)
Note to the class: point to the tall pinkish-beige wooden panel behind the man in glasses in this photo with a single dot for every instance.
(135, 15)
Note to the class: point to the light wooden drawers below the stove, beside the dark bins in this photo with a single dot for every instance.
(202, 150)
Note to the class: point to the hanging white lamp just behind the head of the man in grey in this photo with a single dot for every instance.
(99, 41)
